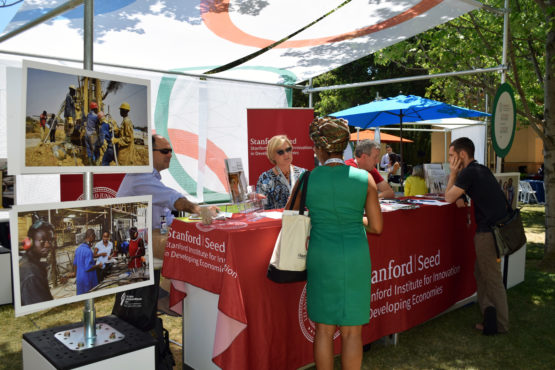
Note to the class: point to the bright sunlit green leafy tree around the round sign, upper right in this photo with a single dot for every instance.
(475, 40)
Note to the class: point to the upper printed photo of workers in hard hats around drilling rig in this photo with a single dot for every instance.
(74, 120)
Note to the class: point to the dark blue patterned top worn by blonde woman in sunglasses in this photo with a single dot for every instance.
(276, 188)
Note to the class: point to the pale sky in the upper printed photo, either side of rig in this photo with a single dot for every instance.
(46, 90)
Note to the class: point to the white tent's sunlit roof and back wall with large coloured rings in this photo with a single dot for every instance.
(169, 42)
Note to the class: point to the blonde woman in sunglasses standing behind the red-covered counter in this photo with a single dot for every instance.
(277, 182)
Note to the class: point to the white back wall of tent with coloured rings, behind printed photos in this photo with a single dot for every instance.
(205, 122)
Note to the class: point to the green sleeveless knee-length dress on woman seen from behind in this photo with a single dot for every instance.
(338, 259)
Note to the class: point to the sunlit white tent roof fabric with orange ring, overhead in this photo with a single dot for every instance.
(198, 36)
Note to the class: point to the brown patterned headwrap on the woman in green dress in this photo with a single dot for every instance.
(330, 133)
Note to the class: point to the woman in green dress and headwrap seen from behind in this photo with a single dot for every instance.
(338, 259)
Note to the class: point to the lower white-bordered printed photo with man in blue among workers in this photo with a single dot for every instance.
(73, 251)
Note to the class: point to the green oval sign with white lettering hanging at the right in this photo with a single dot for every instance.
(503, 125)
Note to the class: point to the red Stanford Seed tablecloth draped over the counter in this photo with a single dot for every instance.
(422, 264)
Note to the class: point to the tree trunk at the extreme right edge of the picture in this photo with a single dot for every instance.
(549, 142)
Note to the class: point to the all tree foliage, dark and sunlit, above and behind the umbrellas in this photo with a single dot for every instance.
(472, 41)
